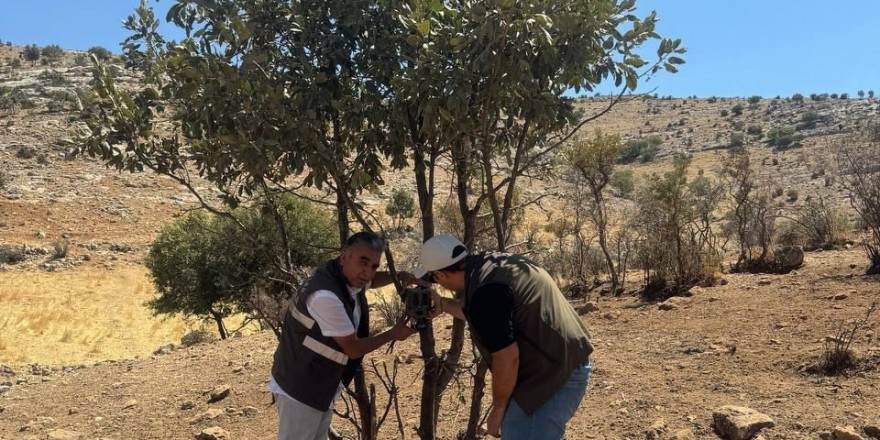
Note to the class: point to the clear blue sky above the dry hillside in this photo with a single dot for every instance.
(735, 47)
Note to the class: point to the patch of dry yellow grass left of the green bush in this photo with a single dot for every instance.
(84, 315)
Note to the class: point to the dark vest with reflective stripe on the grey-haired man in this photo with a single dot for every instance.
(309, 366)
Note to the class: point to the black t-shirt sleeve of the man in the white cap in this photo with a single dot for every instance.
(490, 312)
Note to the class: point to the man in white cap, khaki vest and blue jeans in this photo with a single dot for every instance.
(537, 347)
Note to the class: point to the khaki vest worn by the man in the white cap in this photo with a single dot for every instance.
(552, 339)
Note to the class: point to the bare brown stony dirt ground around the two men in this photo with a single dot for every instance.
(744, 343)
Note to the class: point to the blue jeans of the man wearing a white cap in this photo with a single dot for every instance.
(548, 422)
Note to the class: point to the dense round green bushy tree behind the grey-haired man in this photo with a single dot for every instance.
(211, 267)
